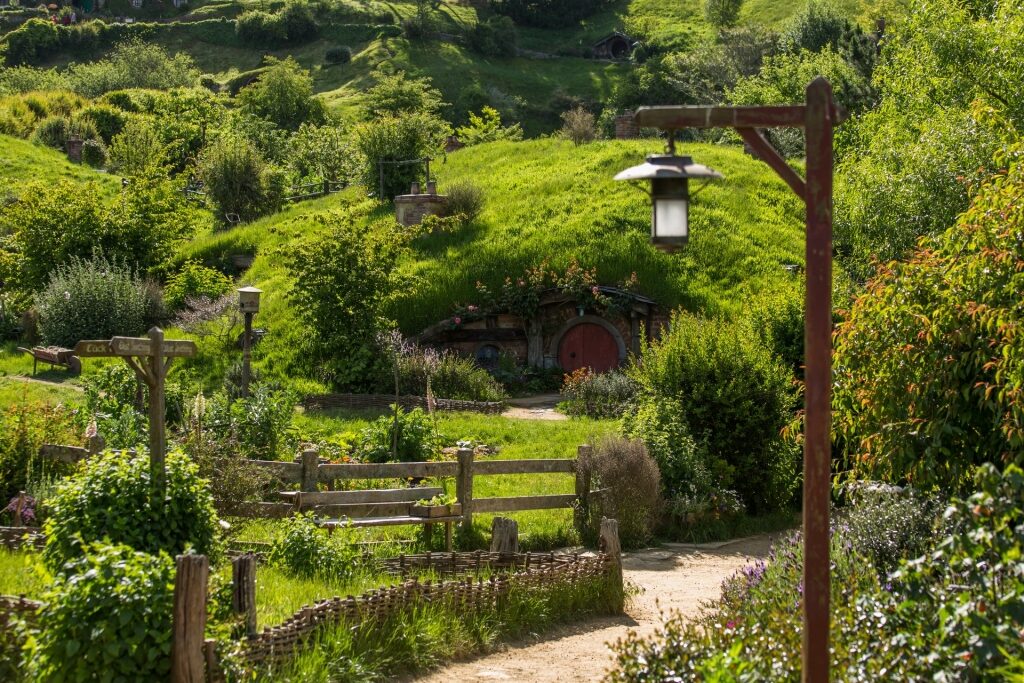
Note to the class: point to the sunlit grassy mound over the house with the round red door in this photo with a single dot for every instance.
(546, 199)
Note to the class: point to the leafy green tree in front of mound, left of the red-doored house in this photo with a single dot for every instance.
(344, 283)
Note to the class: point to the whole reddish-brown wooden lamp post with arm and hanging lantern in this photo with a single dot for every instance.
(818, 117)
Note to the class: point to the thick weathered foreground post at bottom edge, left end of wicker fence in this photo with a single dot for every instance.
(190, 620)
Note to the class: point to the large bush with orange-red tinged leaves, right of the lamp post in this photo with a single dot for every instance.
(927, 363)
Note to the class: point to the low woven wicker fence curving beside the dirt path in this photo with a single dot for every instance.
(464, 593)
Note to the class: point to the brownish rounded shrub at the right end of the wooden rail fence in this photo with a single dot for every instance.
(630, 487)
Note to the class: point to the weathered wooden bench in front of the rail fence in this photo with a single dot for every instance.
(371, 507)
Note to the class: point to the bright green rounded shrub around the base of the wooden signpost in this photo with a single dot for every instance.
(111, 500)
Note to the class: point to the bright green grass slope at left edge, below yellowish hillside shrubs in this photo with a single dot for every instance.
(22, 161)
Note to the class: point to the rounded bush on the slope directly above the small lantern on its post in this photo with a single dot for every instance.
(239, 181)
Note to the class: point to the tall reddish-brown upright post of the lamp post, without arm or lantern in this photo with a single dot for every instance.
(818, 336)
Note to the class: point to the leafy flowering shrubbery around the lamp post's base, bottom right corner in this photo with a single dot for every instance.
(954, 614)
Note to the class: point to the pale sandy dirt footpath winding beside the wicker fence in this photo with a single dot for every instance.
(677, 578)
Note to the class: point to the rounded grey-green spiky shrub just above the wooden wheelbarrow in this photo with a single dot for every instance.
(92, 300)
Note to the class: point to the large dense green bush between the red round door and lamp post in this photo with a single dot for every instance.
(732, 397)
